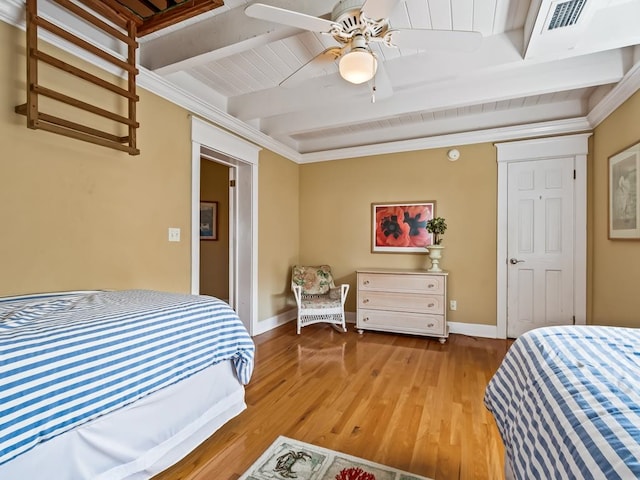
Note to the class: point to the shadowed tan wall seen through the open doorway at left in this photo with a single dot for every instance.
(214, 254)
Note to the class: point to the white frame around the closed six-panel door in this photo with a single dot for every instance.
(576, 146)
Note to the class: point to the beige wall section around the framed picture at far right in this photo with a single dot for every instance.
(615, 266)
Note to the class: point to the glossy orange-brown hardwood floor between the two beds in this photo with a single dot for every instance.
(404, 401)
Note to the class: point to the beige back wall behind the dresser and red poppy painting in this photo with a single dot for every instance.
(335, 218)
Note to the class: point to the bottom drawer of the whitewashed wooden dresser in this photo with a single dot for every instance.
(400, 322)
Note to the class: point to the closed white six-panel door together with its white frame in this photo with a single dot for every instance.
(542, 219)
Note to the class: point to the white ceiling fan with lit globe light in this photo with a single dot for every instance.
(355, 24)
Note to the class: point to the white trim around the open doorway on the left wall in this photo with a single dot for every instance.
(244, 156)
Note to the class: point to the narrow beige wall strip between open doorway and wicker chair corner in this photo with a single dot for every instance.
(278, 227)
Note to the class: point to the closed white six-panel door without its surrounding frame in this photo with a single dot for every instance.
(540, 244)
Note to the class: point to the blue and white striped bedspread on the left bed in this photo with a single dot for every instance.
(68, 358)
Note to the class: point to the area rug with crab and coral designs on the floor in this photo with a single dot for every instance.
(287, 458)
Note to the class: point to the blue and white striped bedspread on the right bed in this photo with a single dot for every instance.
(567, 403)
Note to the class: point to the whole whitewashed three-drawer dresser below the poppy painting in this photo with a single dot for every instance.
(402, 301)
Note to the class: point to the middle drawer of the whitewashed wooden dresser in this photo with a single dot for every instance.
(403, 302)
